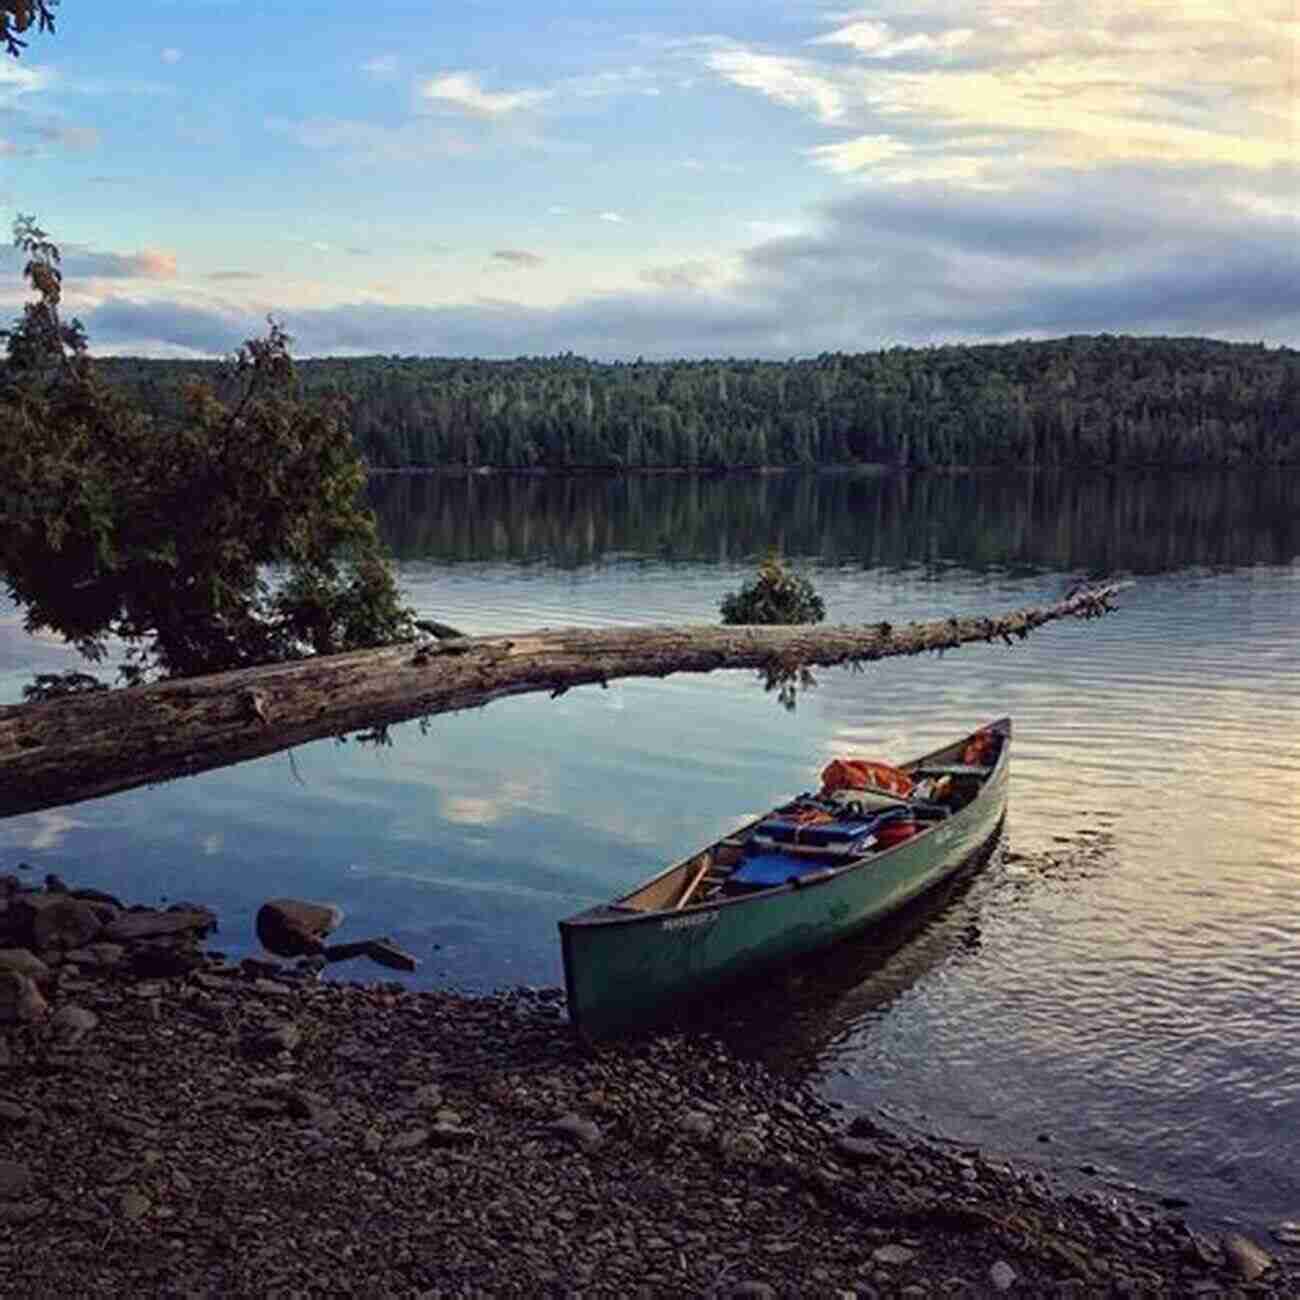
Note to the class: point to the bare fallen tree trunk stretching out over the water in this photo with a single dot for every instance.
(89, 746)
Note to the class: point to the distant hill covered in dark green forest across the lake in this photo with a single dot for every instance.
(1080, 401)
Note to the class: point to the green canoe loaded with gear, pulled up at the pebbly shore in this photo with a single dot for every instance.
(705, 922)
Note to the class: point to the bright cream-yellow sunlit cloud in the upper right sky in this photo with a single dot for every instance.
(1141, 81)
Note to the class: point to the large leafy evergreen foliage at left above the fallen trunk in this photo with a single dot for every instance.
(229, 536)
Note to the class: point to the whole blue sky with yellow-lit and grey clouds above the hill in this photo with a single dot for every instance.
(621, 180)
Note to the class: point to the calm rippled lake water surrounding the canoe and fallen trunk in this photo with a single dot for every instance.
(1123, 977)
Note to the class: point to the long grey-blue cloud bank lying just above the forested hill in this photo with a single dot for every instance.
(1136, 250)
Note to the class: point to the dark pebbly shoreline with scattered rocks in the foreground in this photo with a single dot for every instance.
(176, 1125)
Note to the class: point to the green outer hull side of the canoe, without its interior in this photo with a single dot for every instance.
(626, 969)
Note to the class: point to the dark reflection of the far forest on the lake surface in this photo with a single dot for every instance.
(1099, 523)
